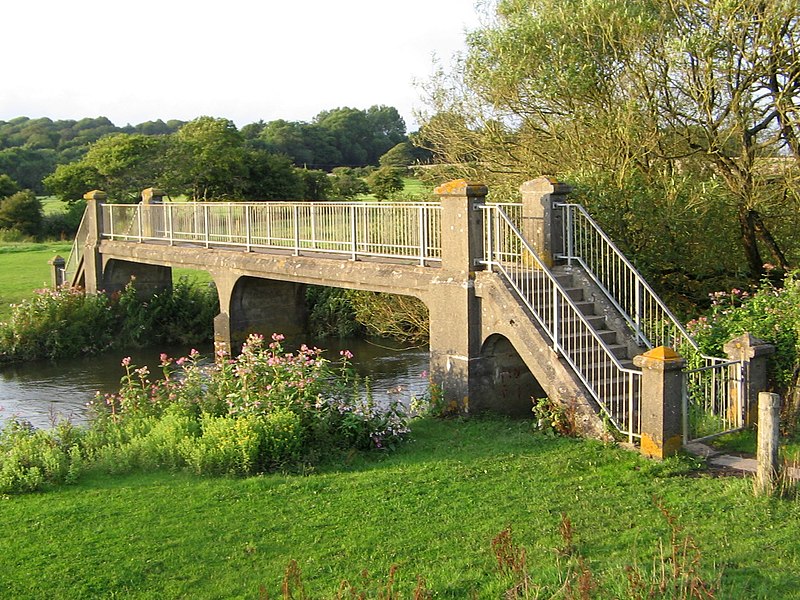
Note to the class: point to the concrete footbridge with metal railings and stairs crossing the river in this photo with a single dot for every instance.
(526, 300)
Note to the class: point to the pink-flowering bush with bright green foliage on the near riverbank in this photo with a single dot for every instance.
(263, 409)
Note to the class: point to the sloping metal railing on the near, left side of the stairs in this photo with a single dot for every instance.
(616, 388)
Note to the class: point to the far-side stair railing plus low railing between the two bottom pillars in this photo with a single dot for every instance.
(706, 402)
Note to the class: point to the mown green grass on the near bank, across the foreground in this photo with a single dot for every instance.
(432, 508)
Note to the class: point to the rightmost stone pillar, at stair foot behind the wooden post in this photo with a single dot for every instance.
(755, 353)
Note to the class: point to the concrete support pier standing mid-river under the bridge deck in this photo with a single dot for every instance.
(254, 305)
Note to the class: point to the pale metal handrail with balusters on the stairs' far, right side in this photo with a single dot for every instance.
(631, 309)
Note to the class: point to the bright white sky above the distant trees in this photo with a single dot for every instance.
(241, 59)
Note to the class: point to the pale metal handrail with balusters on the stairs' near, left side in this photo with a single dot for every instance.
(552, 325)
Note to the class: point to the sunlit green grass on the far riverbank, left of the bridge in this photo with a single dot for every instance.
(24, 268)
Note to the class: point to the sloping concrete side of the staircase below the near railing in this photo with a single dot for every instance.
(503, 313)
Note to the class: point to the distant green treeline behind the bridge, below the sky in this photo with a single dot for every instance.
(209, 158)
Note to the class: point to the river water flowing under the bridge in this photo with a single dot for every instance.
(42, 391)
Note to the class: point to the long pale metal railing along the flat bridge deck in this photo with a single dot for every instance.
(354, 229)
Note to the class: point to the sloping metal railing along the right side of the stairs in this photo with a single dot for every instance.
(645, 312)
